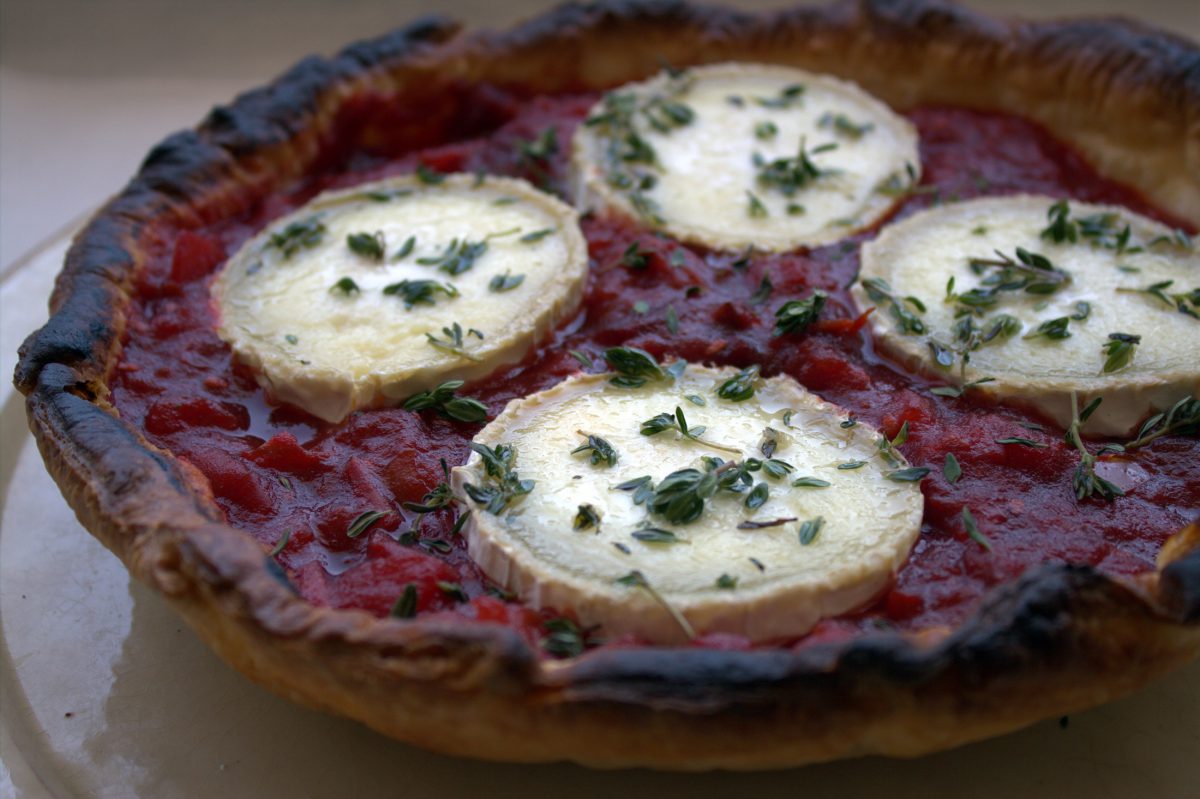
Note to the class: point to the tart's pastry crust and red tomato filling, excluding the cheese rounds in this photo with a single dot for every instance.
(1083, 581)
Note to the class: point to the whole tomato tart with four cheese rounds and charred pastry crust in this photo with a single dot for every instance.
(662, 386)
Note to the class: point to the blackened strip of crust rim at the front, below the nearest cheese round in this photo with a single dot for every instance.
(1029, 626)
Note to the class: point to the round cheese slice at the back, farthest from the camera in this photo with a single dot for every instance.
(736, 155)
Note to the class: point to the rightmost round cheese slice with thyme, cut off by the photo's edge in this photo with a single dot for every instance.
(1101, 275)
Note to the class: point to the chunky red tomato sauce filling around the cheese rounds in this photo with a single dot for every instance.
(285, 477)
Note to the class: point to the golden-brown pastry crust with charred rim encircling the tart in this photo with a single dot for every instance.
(1055, 641)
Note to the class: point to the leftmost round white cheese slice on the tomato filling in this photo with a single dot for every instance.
(365, 297)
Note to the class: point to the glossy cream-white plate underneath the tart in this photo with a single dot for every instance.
(106, 693)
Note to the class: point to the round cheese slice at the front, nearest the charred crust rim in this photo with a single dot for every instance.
(585, 539)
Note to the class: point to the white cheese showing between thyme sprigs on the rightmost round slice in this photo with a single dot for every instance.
(919, 256)
